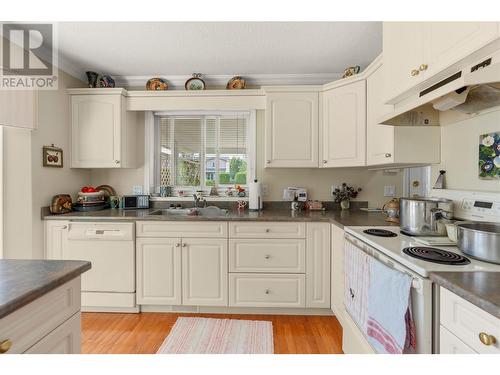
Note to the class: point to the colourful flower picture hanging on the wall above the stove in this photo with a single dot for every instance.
(489, 156)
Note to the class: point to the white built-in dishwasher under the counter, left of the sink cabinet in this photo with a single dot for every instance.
(110, 284)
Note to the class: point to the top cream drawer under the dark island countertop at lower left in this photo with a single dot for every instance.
(32, 322)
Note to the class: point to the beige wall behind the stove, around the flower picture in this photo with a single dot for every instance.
(459, 151)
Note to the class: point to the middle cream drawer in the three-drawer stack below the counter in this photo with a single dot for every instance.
(275, 255)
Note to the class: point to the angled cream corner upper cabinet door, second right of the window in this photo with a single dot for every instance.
(344, 126)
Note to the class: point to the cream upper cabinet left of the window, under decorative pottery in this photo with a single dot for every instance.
(103, 133)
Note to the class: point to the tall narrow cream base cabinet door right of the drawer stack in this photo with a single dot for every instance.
(318, 265)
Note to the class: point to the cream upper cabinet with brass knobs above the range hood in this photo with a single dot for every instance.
(416, 51)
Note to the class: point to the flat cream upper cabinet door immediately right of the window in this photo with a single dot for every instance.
(292, 129)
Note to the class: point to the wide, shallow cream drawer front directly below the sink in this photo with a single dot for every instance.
(206, 229)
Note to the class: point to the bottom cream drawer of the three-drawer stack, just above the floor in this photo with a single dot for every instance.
(266, 290)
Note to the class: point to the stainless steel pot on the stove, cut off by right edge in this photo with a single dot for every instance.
(480, 240)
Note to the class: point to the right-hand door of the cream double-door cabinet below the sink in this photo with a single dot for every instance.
(204, 272)
